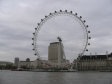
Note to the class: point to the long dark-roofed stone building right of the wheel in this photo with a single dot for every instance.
(94, 63)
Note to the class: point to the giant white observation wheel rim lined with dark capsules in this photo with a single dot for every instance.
(61, 13)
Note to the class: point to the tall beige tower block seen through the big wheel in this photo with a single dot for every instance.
(56, 55)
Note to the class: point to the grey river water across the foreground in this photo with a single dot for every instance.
(22, 77)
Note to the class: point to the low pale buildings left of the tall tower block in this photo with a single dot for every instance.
(36, 64)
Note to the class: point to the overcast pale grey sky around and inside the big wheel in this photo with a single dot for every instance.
(18, 18)
